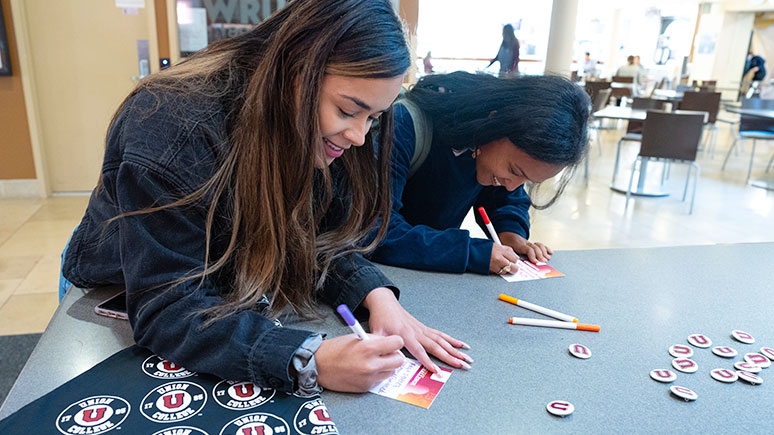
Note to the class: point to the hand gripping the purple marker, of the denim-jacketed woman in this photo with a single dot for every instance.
(348, 364)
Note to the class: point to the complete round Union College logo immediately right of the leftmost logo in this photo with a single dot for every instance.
(175, 401)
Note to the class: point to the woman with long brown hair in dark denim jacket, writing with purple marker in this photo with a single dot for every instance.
(240, 183)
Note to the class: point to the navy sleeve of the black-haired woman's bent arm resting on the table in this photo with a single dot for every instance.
(422, 247)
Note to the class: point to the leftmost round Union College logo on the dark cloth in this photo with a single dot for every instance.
(93, 415)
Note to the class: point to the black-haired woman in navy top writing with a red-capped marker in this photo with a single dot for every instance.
(488, 137)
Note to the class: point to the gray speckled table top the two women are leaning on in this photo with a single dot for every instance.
(644, 299)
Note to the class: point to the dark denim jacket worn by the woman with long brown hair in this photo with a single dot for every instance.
(151, 159)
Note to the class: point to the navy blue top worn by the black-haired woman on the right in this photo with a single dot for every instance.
(428, 209)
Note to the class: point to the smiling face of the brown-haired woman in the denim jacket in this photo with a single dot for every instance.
(348, 107)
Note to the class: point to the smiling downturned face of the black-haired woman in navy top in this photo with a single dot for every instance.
(501, 163)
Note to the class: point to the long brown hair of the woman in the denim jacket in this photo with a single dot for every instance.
(273, 75)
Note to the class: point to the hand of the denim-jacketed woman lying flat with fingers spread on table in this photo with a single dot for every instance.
(388, 317)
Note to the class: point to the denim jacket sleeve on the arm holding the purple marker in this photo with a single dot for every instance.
(164, 246)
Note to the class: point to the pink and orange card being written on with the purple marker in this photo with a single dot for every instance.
(413, 384)
